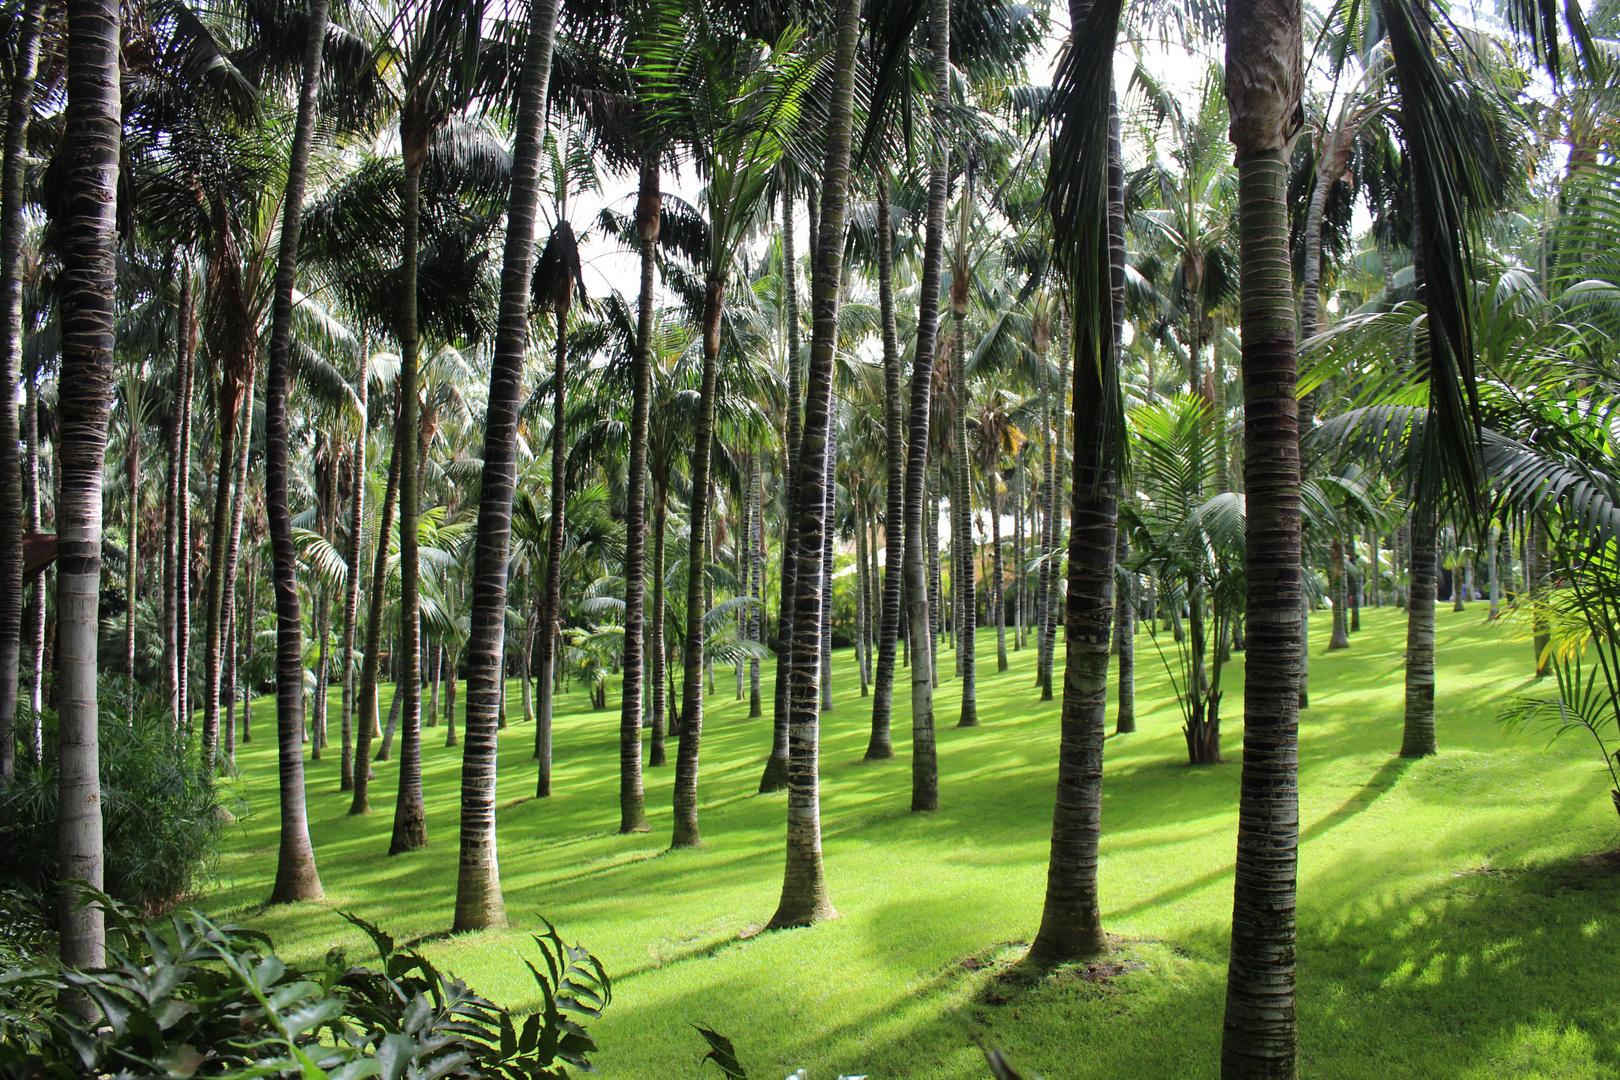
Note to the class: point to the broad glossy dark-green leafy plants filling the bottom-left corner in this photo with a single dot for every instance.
(190, 998)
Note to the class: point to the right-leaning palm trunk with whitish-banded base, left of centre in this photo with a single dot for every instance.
(479, 898)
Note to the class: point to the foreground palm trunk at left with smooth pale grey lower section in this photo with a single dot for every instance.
(88, 234)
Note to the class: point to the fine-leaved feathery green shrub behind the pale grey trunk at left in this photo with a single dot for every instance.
(161, 822)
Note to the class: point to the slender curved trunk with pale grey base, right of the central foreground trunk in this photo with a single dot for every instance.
(926, 765)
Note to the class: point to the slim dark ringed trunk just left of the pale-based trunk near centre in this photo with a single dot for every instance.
(880, 747)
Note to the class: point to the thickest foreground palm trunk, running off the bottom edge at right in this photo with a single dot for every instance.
(1264, 83)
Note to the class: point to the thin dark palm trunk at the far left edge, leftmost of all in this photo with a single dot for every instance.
(19, 111)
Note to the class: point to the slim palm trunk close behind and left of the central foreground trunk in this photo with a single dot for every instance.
(775, 776)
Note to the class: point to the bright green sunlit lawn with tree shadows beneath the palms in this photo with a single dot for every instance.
(1449, 925)
